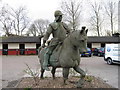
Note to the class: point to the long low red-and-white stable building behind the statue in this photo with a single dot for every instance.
(19, 45)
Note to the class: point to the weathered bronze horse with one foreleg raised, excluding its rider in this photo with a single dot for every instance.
(67, 55)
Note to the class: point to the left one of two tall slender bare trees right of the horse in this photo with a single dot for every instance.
(96, 19)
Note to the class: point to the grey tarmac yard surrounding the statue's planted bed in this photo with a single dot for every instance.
(13, 68)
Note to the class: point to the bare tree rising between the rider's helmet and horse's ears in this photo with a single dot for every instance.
(72, 10)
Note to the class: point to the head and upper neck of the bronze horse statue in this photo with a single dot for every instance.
(79, 40)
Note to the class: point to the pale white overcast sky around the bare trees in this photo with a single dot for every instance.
(45, 8)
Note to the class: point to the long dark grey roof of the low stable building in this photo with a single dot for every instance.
(26, 39)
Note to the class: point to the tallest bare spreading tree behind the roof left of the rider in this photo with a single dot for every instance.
(20, 19)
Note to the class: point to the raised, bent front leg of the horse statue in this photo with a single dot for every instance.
(81, 81)
